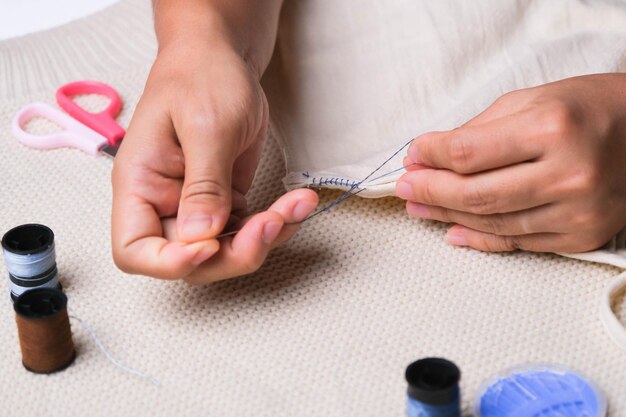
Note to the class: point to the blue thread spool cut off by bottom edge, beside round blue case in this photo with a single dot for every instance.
(433, 388)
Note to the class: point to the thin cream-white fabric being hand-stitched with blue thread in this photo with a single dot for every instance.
(354, 81)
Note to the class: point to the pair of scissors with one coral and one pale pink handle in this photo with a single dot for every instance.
(90, 132)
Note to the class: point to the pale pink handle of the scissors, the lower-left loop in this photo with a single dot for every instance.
(74, 134)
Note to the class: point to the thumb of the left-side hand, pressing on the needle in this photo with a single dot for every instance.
(205, 201)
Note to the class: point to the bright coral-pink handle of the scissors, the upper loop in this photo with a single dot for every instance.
(102, 122)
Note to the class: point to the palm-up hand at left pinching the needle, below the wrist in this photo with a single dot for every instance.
(185, 165)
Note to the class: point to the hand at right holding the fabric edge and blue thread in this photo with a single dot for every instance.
(542, 169)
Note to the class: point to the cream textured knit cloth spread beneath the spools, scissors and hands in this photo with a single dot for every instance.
(325, 328)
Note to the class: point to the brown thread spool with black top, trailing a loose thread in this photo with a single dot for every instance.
(44, 330)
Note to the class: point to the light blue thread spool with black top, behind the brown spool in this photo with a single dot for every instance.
(30, 258)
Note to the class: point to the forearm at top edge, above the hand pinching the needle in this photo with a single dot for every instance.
(248, 26)
